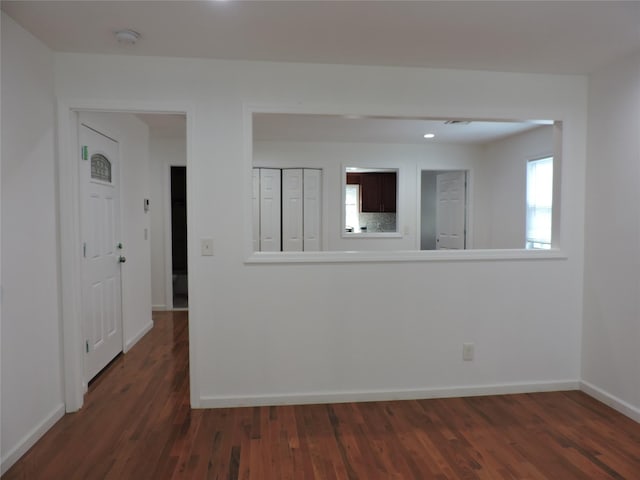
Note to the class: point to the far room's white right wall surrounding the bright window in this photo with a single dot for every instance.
(501, 186)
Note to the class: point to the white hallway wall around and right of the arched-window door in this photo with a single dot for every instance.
(133, 137)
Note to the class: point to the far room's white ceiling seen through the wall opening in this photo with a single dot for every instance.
(336, 128)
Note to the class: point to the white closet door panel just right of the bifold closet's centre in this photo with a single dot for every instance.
(292, 210)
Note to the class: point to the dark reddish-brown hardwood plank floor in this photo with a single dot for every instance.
(137, 424)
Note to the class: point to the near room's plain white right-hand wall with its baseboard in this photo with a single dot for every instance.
(611, 331)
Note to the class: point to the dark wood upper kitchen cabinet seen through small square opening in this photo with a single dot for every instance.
(377, 190)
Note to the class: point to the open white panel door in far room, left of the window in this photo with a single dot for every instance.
(451, 210)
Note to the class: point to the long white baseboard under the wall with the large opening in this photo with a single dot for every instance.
(385, 395)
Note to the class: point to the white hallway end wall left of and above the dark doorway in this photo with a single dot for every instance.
(164, 152)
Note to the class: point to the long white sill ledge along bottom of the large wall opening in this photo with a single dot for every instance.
(404, 256)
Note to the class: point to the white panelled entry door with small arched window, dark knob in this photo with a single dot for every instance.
(101, 255)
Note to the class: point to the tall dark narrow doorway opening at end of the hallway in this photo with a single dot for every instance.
(179, 264)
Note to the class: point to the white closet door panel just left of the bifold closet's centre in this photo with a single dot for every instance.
(270, 209)
